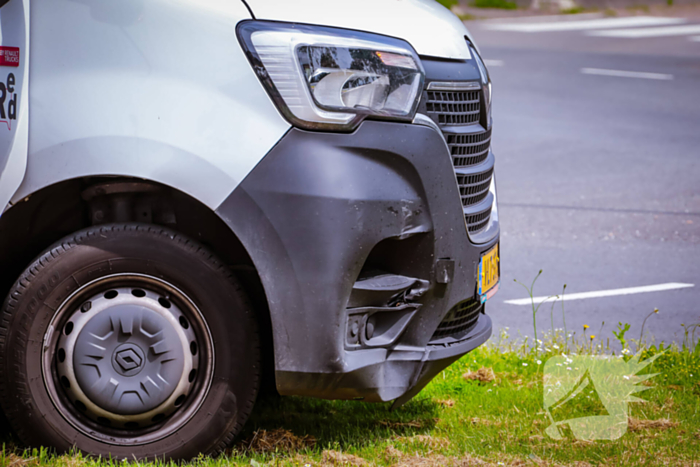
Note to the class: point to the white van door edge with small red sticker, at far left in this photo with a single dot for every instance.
(14, 121)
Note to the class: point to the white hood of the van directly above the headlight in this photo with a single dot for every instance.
(428, 26)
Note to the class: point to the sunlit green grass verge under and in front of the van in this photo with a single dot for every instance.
(455, 421)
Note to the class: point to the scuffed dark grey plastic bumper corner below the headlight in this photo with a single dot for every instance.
(335, 224)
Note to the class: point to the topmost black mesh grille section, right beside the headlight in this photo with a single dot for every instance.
(454, 107)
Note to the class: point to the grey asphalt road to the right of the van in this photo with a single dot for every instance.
(598, 176)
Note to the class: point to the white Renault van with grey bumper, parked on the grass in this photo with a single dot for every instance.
(199, 195)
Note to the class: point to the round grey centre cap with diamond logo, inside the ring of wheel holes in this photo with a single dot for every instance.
(128, 358)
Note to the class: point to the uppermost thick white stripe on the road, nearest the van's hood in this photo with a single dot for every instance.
(604, 23)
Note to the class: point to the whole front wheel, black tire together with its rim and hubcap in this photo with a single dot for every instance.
(103, 278)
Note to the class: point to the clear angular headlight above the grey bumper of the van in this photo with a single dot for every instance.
(326, 78)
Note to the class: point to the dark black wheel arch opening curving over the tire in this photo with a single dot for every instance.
(47, 215)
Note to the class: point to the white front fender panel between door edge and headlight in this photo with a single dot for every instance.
(156, 89)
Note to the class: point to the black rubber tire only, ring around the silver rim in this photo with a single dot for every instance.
(40, 417)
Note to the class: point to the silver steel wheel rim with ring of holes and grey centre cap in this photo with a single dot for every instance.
(129, 357)
